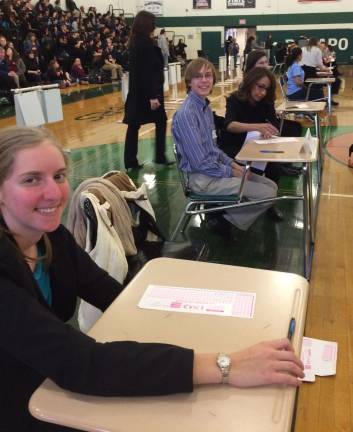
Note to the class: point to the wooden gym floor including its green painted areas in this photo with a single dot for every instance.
(92, 132)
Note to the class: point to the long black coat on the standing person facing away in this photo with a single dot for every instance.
(146, 79)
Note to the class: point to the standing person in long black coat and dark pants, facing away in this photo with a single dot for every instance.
(145, 100)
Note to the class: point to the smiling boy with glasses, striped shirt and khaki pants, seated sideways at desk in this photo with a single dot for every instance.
(210, 171)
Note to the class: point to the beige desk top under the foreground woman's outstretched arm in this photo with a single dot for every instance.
(279, 296)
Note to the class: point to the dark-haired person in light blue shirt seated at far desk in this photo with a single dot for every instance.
(296, 88)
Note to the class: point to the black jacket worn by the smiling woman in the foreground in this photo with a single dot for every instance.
(35, 342)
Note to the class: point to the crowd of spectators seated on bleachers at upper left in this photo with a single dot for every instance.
(45, 43)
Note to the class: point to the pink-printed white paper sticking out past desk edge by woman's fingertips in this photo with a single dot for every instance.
(319, 358)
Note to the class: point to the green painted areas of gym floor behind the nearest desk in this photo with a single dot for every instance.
(267, 244)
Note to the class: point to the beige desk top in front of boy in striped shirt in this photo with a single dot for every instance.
(278, 151)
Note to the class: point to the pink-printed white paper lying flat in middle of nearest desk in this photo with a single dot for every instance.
(199, 301)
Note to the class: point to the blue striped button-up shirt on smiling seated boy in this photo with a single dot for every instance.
(195, 138)
